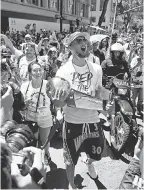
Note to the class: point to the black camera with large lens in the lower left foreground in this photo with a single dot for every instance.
(17, 137)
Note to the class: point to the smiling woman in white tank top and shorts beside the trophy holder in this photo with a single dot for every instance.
(38, 103)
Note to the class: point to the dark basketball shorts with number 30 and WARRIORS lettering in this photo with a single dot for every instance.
(77, 138)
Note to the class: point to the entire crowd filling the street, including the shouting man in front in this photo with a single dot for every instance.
(29, 62)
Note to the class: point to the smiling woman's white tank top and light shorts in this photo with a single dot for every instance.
(43, 115)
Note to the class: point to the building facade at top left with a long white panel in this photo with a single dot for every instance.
(43, 14)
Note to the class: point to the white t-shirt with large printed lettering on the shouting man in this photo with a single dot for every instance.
(72, 74)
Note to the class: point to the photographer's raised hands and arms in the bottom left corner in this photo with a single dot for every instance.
(11, 174)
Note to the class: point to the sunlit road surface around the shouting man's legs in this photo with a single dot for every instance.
(110, 171)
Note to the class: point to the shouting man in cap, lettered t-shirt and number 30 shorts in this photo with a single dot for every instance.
(82, 127)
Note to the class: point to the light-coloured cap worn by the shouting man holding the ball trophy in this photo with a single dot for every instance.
(70, 38)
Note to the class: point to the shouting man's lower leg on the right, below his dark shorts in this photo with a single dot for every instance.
(91, 169)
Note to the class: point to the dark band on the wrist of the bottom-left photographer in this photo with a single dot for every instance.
(37, 176)
